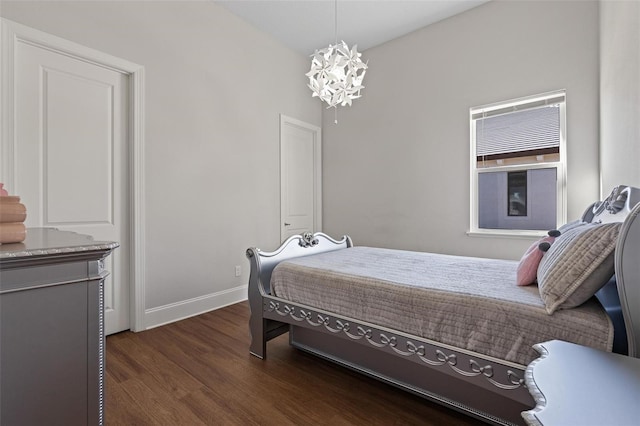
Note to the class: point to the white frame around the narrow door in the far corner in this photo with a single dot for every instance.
(317, 170)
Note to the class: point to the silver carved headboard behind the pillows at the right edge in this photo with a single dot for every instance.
(622, 205)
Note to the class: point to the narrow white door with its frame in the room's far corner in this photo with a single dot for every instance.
(300, 175)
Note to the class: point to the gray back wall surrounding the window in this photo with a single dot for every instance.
(396, 166)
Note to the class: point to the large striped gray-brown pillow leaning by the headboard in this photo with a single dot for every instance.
(577, 265)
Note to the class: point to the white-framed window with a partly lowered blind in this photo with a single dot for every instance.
(518, 165)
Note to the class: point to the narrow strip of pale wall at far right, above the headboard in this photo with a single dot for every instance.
(620, 93)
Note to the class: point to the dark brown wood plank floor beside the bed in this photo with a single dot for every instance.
(199, 372)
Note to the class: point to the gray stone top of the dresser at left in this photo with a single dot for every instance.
(48, 241)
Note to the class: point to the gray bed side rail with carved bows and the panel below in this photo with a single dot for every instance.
(489, 389)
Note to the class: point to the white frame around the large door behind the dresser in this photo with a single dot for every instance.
(12, 33)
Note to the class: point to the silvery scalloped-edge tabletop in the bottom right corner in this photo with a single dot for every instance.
(577, 385)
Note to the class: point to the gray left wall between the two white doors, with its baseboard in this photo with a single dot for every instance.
(215, 87)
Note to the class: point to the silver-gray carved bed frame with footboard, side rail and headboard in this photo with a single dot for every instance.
(487, 388)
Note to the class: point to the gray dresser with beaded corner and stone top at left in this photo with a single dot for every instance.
(52, 329)
